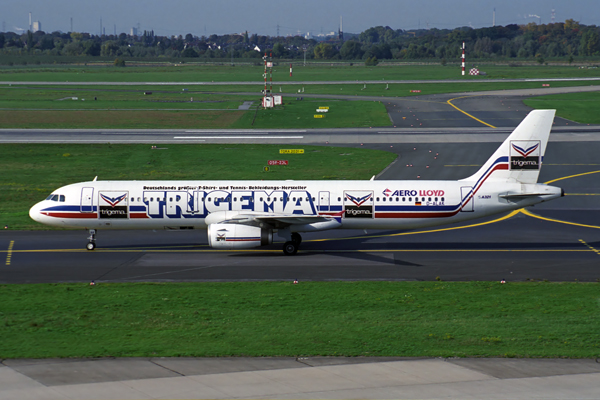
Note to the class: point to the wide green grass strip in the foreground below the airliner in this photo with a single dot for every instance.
(434, 319)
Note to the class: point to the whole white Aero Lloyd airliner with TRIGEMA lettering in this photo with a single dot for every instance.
(245, 214)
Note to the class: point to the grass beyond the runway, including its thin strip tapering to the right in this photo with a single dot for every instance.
(211, 107)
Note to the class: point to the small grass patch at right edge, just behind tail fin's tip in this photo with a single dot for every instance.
(580, 107)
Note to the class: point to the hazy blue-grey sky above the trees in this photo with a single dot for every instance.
(200, 17)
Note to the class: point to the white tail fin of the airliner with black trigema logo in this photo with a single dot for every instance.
(519, 158)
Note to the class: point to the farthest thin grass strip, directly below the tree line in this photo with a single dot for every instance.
(311, 72)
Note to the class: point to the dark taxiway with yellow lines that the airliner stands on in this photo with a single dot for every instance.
(558, 241)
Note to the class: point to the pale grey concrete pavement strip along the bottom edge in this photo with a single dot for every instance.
(295, 378)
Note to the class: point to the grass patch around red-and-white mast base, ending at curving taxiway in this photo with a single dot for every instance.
(170, 108)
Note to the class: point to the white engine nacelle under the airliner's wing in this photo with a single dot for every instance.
(238, 236)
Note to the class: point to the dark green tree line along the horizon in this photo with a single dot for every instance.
(531, 41)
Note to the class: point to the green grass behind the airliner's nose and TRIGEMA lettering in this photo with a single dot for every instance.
(31, 171)
